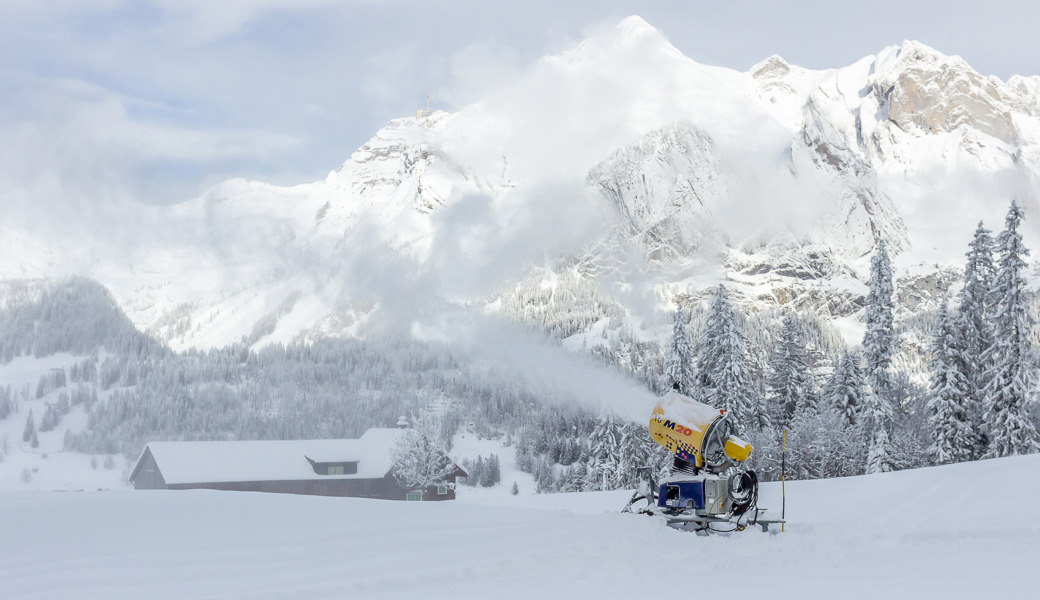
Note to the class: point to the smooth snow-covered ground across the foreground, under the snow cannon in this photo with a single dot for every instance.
(958, 532)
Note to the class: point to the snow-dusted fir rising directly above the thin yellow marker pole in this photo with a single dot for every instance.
(790, 386)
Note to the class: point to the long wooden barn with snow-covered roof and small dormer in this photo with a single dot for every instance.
(358, 468)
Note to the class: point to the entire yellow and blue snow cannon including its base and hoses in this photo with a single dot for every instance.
(707, 491)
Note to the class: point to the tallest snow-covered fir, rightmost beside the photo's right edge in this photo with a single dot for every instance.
(1009, 381)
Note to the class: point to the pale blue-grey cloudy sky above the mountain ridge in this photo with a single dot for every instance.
(155, 100)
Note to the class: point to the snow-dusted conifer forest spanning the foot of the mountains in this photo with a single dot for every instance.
(845, 410)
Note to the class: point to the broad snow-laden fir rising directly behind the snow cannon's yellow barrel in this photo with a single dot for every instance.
(722, 366)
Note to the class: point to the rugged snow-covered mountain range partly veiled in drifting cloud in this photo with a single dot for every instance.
(621, 161)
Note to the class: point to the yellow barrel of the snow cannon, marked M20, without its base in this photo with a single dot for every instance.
(697, 434)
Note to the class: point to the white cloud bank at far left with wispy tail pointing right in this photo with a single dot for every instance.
(71, 145)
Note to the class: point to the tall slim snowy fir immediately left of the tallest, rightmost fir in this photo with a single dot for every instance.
(977, 331)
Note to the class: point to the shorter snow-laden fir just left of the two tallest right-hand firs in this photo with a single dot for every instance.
(949, 392)
